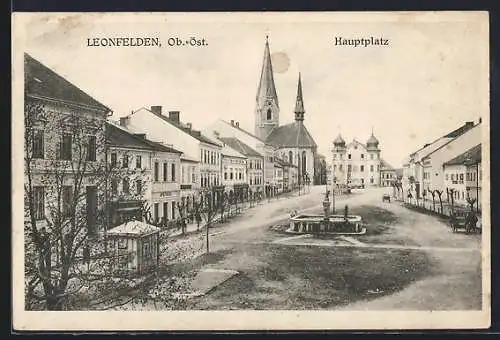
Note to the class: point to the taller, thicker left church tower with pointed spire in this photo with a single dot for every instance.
(267, 106)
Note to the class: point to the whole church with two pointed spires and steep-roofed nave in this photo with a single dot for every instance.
(292, 142)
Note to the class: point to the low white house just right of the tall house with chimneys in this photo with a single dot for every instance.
(234, 172)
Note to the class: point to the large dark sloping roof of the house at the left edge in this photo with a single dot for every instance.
(43, 82)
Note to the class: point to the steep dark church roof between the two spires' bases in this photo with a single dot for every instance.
(291, 135)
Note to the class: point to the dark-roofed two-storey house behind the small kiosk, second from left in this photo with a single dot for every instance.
(143, 177)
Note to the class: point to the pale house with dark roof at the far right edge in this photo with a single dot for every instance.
(462, 177)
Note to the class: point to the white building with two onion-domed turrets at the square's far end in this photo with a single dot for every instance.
(356, 164)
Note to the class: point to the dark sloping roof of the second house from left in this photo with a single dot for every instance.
(119, 137)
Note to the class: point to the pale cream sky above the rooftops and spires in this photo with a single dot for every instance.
(430, 79)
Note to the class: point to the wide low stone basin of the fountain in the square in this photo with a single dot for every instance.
(334, 224)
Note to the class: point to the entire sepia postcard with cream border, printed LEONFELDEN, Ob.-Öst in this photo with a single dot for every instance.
(251, 171)
